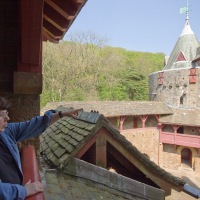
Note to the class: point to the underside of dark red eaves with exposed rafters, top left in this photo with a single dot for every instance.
(58, 17)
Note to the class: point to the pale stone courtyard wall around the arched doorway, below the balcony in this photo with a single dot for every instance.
(165, 155)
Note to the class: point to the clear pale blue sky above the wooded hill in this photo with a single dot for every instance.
(137, 25)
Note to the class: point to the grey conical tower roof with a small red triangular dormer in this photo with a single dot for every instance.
(184, 50)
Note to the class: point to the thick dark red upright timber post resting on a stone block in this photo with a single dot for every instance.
(31, 33)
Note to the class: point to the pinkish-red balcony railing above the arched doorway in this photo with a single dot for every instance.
(180, 139)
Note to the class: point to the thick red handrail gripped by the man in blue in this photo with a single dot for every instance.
(30, 169)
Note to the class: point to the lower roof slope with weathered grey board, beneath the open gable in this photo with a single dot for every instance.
(83, 180)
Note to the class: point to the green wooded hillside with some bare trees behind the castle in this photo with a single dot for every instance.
(88, 70)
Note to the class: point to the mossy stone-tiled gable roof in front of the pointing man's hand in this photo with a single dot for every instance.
(67, 136)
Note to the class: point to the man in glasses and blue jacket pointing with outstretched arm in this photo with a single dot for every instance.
(11, 177)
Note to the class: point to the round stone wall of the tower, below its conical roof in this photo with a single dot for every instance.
(175, 85)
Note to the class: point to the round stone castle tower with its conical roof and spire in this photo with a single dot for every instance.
(178, 84)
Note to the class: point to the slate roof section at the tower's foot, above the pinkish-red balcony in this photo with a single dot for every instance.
(186, 117)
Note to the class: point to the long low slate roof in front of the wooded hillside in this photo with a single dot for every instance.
(115, 108)
